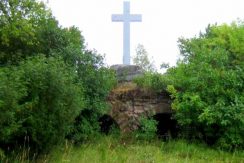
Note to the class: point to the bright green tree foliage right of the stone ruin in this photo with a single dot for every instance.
(208, 88)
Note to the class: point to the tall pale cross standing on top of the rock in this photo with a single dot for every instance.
(126, 18)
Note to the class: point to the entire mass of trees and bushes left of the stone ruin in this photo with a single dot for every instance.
(51, 86)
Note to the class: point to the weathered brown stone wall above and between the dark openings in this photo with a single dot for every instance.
(129, 103)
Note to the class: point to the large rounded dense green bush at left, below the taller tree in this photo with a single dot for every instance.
(39, 102)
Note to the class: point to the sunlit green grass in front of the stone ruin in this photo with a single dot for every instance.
(108, 149)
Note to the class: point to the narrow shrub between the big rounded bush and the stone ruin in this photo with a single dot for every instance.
(97, 82)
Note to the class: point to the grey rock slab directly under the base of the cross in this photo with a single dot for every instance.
(127, 72)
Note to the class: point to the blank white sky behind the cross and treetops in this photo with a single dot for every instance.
(163, 22)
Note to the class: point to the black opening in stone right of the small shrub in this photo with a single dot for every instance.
(166, 127)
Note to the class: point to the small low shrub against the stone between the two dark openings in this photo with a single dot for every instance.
(147, 129)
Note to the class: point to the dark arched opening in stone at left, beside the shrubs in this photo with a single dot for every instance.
(107, 124)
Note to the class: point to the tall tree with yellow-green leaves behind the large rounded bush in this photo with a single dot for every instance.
(27, 28)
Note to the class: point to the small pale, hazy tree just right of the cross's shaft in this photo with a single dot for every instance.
(141, 59)
